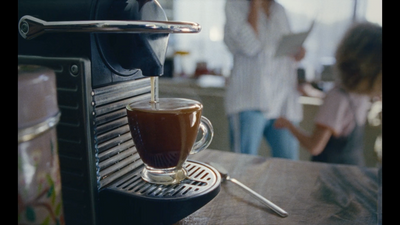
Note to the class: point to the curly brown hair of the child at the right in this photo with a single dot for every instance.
(359, 56)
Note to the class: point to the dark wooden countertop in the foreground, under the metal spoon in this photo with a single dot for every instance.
(312, 193)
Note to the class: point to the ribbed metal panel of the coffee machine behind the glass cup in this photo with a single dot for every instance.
(116, 153)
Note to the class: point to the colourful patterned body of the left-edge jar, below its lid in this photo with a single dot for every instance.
(39, 181)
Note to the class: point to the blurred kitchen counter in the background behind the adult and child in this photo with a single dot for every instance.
(210, 91)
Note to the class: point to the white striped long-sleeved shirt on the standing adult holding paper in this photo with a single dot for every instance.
(259, 80)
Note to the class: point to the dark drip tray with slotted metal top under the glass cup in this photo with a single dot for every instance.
(132, 200)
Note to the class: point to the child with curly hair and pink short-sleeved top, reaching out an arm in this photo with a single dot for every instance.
(339, 123)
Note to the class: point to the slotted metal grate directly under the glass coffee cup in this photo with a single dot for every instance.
(202, 178)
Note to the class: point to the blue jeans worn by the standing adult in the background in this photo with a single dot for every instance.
(247, 128)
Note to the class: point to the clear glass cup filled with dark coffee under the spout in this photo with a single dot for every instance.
(165, 133)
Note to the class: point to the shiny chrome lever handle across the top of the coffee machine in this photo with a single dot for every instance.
(30, 27)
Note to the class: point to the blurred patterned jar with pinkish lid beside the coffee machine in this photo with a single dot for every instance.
(39, 180)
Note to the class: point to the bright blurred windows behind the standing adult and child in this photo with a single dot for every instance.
(332, 17)
